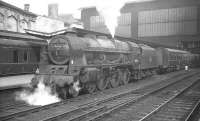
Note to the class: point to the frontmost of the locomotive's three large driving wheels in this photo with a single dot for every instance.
(102, 83)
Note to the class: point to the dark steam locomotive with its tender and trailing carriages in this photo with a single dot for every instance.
(95, 62)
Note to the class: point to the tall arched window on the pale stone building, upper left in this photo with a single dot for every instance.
(12, 24)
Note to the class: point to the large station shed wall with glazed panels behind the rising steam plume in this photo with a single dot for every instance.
(172, 23)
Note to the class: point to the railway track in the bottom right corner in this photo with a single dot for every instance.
(179, 108)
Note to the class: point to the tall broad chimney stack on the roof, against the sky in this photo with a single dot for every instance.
(53, 10)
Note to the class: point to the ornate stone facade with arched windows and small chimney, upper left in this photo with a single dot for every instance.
(15, 19)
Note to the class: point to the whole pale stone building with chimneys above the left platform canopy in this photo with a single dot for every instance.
(16, 19)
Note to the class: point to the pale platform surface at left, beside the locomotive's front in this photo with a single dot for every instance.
(14, 81)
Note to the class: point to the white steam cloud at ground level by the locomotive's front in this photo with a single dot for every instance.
(41, 96)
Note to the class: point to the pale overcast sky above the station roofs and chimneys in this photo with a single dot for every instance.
(65, 6)
